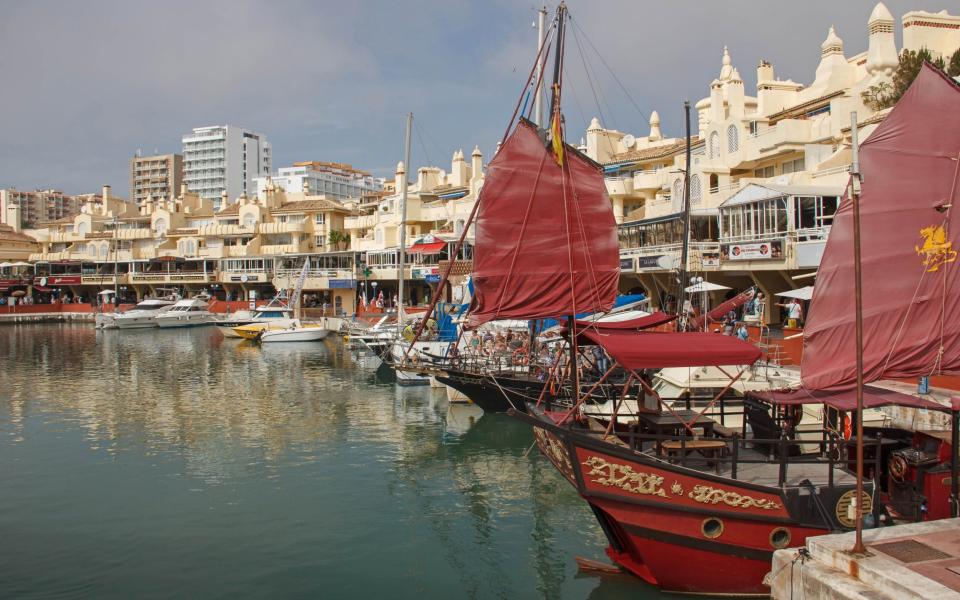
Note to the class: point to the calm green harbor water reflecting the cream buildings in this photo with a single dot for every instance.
(175, 463)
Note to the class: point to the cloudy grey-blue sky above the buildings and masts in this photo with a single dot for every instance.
(85, 85)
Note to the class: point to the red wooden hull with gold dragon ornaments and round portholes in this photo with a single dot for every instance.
(682, 529)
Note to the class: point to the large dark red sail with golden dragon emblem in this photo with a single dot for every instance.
(911, 288)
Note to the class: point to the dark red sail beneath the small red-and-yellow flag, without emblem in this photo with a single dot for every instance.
(546, 238)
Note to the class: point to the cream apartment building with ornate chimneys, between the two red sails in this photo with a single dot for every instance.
(767, 170)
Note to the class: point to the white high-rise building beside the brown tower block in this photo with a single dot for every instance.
(224, 158)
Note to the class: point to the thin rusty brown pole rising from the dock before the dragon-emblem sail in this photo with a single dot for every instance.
(855, 180)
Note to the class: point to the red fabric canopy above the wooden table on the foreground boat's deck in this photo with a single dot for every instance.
(654, 350)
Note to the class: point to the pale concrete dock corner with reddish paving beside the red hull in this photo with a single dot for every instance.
(915, 561)
